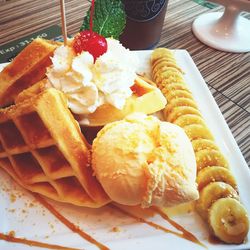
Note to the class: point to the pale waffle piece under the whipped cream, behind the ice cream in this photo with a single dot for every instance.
(146, 98)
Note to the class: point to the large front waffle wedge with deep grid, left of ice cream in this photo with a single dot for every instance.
(42, 148)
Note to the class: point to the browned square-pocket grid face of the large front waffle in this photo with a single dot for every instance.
(30, 154)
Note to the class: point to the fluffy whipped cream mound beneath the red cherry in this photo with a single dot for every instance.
(88, 85)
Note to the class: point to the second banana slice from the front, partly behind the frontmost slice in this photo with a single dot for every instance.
(211, 193)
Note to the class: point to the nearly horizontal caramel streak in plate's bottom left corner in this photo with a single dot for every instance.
(10, 238)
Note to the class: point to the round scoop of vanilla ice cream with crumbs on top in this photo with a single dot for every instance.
(143, 161)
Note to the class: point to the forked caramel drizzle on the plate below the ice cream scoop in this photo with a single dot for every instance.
(184, 233)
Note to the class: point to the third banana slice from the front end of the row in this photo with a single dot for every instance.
(215, 173)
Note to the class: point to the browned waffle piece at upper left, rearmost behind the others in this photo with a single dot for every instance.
(27, 68)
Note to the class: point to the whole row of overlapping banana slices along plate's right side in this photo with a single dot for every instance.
(219, 198)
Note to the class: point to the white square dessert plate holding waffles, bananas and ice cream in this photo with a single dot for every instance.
(22, 215)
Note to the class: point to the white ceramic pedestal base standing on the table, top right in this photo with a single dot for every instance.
(225, 31)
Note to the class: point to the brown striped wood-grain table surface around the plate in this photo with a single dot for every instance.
(226, 74)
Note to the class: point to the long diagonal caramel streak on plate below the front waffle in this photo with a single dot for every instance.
(69, 224)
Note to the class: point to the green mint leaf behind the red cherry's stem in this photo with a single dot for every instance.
(109, 18)
